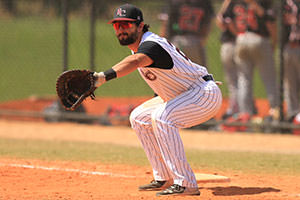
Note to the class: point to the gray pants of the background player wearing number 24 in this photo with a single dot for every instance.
(253, 50)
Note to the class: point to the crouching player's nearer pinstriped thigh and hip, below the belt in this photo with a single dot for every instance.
(190, 108)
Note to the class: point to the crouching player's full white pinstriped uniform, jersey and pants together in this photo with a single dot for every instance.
(184, 100)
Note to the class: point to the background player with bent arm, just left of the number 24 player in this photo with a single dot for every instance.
(228, 19)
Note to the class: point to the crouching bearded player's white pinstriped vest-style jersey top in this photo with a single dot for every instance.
(171, 73)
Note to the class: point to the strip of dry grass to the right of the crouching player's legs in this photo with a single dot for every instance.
(246, 161)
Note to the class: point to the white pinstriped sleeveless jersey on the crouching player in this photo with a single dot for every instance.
(169, 83)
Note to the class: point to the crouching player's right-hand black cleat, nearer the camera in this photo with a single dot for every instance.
(179, 190)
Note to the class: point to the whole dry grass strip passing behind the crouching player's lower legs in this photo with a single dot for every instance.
(117, 154)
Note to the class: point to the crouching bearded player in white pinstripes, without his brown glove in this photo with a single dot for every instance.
(187, 95)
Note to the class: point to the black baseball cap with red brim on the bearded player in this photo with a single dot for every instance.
(127, 12)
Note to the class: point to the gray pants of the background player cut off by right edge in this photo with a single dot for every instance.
(292, 79)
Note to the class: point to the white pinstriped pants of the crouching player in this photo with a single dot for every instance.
(157, 126)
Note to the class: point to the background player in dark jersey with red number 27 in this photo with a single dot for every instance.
(186, 25)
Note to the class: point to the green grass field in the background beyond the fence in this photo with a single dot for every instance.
(31, 57)
